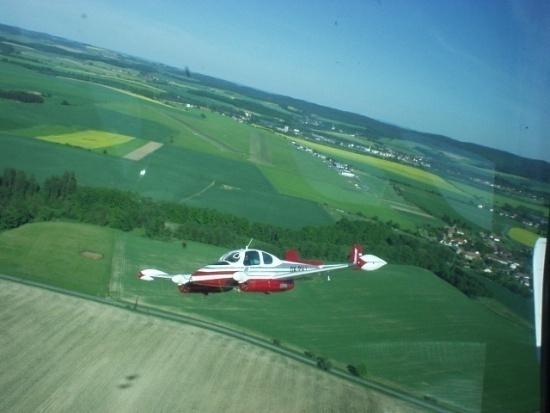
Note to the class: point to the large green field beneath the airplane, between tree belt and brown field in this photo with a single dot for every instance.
(412, 330)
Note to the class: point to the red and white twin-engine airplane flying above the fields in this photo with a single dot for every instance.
(252, 270)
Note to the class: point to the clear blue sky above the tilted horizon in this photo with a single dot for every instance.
(473, 70)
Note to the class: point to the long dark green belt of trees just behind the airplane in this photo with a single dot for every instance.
(23, 200)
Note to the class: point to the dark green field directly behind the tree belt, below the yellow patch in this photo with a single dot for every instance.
(172, 174)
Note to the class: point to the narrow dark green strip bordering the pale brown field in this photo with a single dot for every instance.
(146, 310)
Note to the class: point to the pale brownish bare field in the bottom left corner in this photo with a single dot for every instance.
(61, 353)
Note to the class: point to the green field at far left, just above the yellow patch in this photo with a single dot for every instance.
(86, 108)
